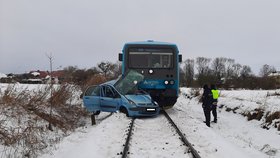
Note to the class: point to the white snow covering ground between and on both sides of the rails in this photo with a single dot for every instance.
(233, 135)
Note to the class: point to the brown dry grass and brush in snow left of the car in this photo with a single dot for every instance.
(25, 116)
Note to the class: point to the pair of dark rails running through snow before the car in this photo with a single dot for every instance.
(188, 146)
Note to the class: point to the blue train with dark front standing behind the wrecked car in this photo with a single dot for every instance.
(159, 63)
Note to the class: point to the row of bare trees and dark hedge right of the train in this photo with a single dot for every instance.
(225, 73)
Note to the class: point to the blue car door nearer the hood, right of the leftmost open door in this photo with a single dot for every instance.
(110, 99)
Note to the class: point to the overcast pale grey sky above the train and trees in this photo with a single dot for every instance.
(85, 32)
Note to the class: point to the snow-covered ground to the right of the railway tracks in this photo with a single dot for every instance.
(233, 135)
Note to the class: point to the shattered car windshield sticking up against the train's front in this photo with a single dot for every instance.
(129, 83)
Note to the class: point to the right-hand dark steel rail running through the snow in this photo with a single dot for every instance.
(183, 138)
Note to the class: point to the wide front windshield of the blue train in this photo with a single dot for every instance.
(150, 58)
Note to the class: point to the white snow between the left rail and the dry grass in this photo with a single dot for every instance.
(103, 140)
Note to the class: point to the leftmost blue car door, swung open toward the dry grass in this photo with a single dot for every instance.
(91, 98)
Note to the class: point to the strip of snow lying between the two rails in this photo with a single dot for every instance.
(154, 137)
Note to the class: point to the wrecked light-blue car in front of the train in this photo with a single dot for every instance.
(121, 95)
